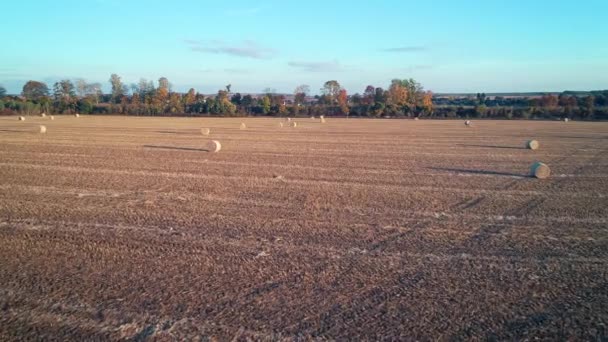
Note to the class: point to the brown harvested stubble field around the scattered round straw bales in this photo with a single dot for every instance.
(126, 228)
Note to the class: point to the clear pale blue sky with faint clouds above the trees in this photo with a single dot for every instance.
(454, 46)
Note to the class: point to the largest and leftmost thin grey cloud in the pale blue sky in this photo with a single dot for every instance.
(247, 49)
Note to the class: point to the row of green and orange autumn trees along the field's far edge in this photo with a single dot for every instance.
(402, 98)
